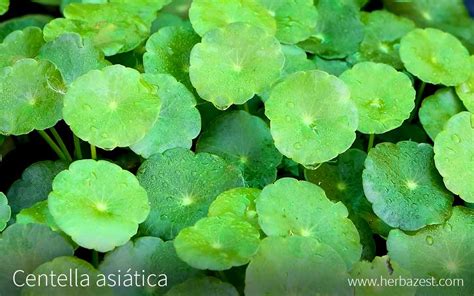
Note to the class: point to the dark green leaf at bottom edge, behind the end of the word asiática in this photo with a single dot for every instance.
(147, 255)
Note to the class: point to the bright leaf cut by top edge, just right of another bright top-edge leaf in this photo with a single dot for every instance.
(295, 20)
